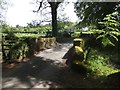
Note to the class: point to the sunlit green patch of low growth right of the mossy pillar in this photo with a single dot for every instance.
(99, 63)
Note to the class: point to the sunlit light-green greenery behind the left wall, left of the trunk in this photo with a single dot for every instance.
(27, 31)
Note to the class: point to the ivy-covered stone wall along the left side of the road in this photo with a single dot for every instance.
(23, 47)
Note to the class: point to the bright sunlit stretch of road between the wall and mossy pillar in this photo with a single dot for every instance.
(56, 53)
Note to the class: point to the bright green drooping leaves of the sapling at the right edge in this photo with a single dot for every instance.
(110, 25)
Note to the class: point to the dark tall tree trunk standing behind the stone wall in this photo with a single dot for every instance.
(53, 5)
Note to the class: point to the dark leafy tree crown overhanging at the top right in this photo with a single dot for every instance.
(92, 12)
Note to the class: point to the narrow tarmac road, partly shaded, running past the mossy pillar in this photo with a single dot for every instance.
(45, 70)
